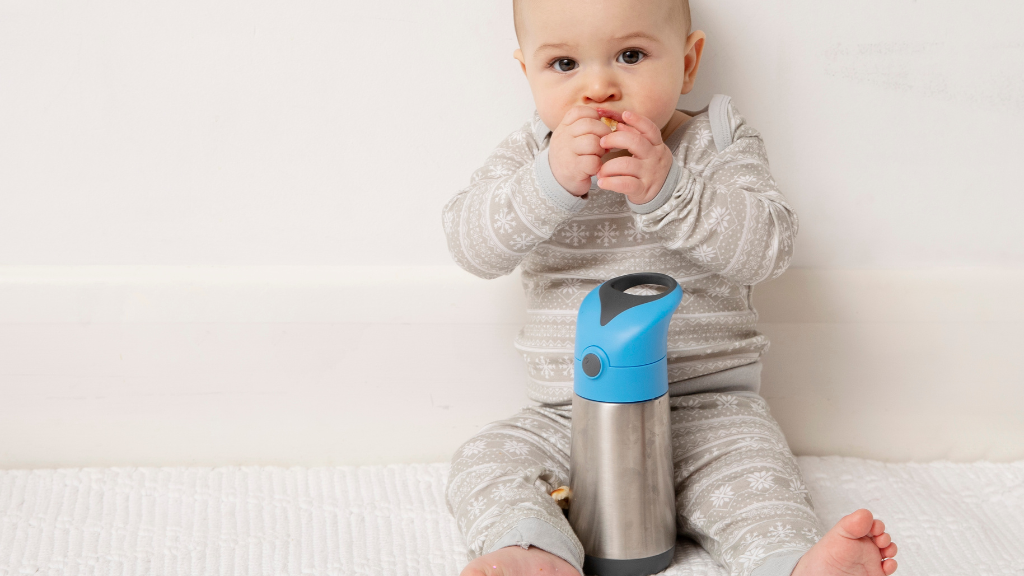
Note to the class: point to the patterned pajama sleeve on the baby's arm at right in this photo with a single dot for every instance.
(724, 214)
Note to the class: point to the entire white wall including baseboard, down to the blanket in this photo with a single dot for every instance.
(164, 169)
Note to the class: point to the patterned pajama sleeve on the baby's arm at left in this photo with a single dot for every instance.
(513, 204)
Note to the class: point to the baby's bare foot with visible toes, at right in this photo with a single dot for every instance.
(858, 546)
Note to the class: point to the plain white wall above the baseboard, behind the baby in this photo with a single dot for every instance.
(280, 133)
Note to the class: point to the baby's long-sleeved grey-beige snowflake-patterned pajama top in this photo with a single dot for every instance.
(718, 227)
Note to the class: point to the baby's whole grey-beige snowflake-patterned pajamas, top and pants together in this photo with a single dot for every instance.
(719, 226)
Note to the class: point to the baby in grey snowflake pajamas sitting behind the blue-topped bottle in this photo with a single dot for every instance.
(610, 179)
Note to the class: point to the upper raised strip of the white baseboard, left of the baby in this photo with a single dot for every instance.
(255, 295)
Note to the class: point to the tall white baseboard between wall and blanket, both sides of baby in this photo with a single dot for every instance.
(293, 365)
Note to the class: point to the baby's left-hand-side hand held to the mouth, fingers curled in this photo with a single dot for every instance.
(576, 149)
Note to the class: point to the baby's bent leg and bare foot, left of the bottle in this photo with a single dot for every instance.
(499, 491)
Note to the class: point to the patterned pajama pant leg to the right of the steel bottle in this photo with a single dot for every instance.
(739, 490)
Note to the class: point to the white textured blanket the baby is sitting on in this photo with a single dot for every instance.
(947, 519)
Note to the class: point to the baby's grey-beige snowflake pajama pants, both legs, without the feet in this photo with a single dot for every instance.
(739, 490)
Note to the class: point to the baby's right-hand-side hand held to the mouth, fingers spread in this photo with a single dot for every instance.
(639, 177)
